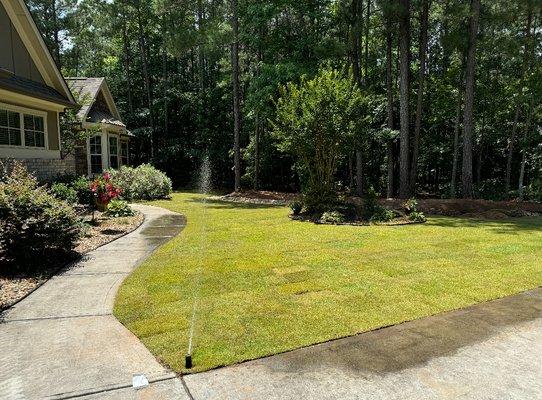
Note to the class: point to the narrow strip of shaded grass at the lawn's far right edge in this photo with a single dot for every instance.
(504, 226)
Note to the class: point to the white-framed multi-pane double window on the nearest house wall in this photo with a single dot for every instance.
(22, 127)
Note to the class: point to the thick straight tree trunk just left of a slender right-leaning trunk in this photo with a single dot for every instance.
(404, 48)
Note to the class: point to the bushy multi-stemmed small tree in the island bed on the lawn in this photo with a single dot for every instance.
(316, 121)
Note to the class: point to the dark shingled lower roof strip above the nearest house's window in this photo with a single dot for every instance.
(32, 88)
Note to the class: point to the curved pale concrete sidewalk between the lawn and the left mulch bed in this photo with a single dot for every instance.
(63, 342)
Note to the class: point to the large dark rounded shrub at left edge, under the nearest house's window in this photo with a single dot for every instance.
(33, 222)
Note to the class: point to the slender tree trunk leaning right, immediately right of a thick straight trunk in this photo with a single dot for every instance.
(419, 104)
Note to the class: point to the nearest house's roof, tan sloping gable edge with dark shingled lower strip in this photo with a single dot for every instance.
(26, 28)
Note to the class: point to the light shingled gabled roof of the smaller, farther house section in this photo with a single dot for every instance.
(87, 90)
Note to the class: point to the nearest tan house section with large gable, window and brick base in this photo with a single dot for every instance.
(33, 93)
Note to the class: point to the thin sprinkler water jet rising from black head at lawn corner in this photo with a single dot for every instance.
(204, 188)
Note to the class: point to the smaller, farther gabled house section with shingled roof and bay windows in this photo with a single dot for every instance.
(107, 146)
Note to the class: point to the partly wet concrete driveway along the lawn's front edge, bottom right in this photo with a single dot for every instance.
(491, 351)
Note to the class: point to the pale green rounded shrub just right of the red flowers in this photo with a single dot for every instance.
(142, 183)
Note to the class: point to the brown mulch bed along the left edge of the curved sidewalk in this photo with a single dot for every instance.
(103, 230)
